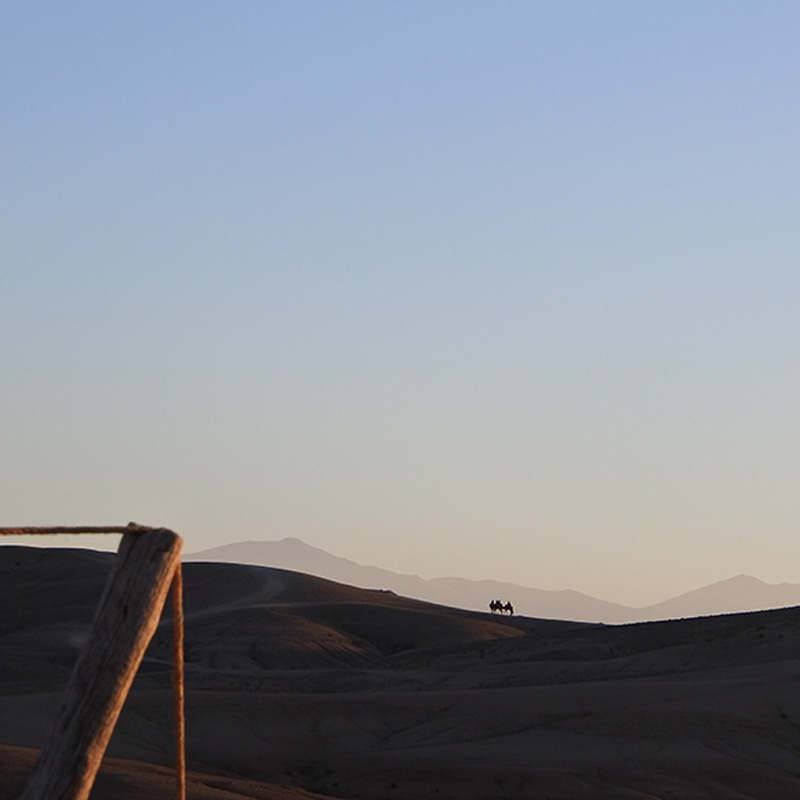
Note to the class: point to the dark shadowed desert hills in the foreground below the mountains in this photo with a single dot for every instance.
(302, 688)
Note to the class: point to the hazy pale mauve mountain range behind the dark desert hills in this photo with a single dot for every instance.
(742, 593)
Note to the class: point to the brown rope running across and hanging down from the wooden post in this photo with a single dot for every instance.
(177, 610)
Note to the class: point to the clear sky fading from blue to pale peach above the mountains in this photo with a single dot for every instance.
(494, 289)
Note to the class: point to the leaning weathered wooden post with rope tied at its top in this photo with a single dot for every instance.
(123, 625)
